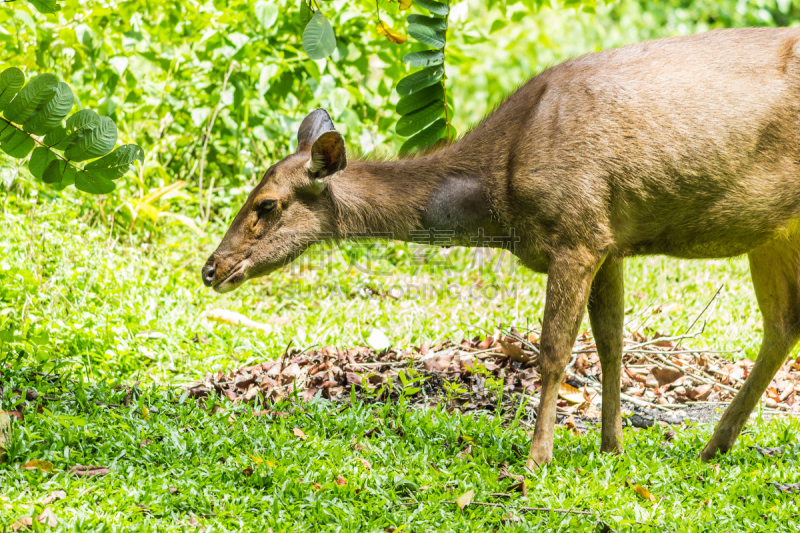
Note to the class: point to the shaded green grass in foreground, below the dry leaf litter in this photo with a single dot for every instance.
(174, 462)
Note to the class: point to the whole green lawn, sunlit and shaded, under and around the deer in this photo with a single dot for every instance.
(102, 307)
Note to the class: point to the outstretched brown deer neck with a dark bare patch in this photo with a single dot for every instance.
(435, 194)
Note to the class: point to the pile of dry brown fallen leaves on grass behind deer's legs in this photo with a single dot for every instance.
(662, 382)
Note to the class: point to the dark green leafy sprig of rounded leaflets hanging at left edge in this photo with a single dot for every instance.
(34, 114)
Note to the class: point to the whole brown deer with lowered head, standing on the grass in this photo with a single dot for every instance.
(687, 147)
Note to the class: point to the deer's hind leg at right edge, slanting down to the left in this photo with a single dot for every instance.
(775, 269)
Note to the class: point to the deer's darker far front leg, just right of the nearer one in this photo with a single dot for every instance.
(607, 313)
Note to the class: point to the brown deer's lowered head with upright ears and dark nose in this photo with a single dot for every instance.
(285, 213)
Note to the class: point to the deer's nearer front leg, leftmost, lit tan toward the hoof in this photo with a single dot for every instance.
(569, 279)
